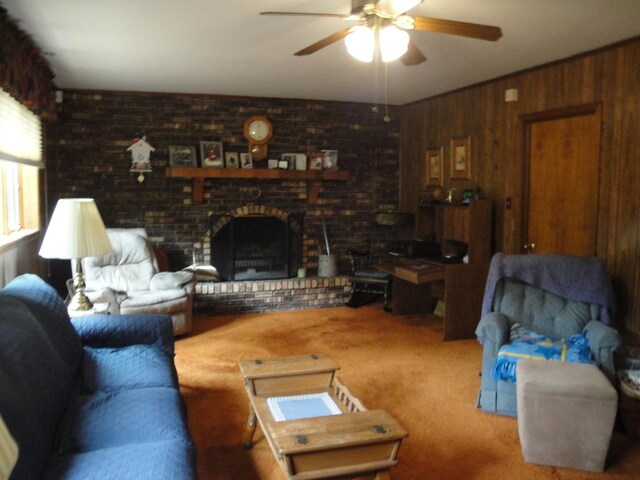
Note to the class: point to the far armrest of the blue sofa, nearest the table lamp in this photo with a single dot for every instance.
(125, 330)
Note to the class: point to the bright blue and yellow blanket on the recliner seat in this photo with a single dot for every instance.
(530, 345)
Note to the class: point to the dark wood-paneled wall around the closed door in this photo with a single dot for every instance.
(609, 76)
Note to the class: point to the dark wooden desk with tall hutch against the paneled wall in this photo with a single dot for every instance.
(461, 231)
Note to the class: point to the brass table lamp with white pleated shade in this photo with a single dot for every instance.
(76, 230)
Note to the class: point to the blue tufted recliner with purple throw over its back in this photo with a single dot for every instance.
(552, 295)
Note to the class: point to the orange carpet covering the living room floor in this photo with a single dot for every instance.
(397, 363)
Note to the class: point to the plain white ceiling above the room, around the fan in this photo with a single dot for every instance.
(225, 47)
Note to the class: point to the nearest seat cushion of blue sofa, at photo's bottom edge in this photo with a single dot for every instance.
(162, 460)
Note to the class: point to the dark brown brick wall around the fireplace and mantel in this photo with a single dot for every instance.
(95, 129)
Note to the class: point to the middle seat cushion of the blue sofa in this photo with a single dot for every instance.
(142, 415)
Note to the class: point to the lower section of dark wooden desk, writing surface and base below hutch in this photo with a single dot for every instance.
(463, 291)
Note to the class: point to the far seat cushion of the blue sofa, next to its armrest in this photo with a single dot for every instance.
(135, 366)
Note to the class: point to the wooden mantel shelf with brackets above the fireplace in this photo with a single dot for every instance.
(199, 174)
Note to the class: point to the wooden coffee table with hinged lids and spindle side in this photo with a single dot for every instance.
(358, 442)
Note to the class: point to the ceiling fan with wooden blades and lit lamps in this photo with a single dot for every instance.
(383, 23)
